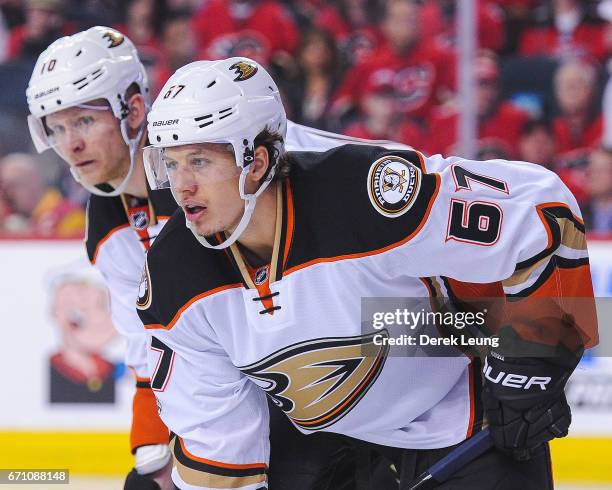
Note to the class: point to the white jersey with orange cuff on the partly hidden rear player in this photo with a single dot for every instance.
(119, 232)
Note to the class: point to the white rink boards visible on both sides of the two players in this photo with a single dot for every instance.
(29, 267)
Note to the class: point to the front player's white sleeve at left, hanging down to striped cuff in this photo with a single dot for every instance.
(220, 418)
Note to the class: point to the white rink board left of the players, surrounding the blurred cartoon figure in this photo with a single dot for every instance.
(28, 269)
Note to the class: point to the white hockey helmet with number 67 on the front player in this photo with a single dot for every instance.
(226, 101)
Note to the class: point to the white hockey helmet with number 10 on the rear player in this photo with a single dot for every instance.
(99, 63)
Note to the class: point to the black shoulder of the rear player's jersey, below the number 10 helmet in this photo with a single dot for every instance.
(104, 214)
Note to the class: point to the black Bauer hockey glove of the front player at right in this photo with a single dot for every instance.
(524, 399)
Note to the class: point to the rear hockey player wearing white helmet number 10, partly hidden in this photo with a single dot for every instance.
(88, 97)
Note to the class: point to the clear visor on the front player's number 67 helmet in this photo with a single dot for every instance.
(184, 165)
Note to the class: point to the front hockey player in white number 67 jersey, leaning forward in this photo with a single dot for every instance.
(254, 288)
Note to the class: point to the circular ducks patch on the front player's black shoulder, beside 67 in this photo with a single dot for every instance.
(393, 185)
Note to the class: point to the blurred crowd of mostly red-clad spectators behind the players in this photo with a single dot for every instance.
(378, 69)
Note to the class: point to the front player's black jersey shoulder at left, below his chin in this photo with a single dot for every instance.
(179, 269)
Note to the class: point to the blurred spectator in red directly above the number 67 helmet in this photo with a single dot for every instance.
(259, 29)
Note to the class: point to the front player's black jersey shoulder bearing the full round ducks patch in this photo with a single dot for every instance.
(334, 214)
